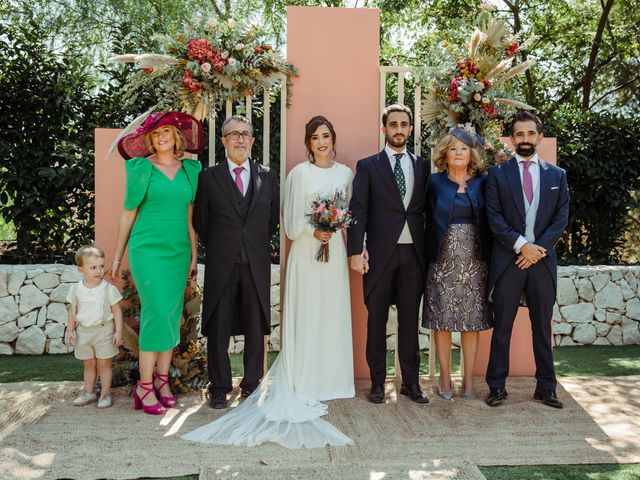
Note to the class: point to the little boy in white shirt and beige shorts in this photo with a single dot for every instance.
(95, 325)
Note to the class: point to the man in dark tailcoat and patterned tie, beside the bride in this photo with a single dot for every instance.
(388, 205)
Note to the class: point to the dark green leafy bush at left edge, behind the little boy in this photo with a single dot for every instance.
(47, 171)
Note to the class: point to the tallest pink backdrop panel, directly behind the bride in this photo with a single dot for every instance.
(337, 52)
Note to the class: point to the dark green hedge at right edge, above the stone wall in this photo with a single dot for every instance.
(601, 154)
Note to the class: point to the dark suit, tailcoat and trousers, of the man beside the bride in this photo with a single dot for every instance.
(396, 272)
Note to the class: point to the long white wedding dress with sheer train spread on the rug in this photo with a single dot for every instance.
(316, 359)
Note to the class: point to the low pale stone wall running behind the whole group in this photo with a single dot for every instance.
(595, 305)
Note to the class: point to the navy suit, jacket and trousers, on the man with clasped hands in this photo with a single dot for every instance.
(507, 283)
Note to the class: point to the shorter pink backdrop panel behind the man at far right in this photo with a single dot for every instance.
(521, 360)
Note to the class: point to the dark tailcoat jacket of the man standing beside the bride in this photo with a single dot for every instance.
(378, 211)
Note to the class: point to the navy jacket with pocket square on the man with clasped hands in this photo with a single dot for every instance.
(506, 214)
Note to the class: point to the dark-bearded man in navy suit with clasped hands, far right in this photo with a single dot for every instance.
(527, 209)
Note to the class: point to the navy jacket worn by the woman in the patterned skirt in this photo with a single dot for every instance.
(440, 196)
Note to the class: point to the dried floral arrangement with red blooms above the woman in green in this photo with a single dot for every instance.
(206, 66)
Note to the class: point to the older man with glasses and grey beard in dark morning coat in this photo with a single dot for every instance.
(236, 212)
